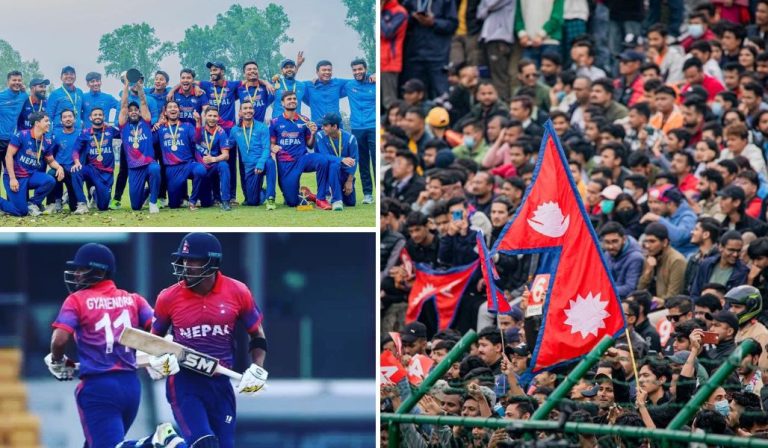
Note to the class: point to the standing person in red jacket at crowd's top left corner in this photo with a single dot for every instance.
(394, 21)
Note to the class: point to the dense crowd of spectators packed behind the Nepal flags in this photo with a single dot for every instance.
(661, 109)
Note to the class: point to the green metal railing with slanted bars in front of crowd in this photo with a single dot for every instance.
(538, 421)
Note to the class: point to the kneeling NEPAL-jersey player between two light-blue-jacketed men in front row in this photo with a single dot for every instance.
(290, 135)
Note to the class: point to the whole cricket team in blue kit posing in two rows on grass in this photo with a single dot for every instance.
(168, 136)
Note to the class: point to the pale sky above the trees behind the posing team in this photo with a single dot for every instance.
(67, 32)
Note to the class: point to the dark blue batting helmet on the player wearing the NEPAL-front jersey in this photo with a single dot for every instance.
(197, 246)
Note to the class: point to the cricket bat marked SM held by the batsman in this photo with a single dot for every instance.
(190, 359)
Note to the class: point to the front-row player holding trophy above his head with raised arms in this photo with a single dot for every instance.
(136, 135)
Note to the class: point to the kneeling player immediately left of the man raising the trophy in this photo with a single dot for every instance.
(99, 164)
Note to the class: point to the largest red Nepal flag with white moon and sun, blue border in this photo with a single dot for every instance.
(582, 305)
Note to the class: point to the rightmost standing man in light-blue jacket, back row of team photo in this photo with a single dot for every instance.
(361, 93)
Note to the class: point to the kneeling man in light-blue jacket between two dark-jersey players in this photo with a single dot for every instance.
(251, 138)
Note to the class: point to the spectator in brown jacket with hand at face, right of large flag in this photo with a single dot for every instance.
(664, 268)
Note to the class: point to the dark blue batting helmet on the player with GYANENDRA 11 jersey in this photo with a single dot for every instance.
(92, 263)
